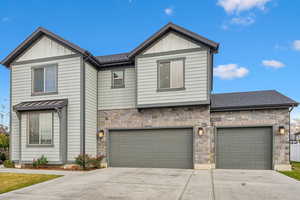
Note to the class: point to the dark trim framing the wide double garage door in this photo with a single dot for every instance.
(108, 130)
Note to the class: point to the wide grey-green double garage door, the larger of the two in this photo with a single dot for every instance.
(161, 148)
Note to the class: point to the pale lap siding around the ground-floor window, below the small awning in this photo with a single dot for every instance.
(30, 153)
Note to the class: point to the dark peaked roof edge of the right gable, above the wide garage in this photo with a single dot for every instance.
(173, 27)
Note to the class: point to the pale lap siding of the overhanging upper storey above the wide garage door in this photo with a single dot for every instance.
(195, 79)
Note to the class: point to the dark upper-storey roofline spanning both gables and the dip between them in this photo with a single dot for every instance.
(109, 60)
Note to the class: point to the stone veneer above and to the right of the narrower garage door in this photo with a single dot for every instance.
(274, 117)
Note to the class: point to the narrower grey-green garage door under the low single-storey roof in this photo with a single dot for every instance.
(244, 148)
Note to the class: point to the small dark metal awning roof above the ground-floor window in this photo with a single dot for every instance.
(41, 105)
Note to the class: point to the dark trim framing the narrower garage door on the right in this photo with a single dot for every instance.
(273, 128)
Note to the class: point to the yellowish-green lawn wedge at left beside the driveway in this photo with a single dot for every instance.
(13, 181)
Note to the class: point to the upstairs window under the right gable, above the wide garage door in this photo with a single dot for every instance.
(171, 74)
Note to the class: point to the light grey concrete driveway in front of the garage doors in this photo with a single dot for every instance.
(160, 184)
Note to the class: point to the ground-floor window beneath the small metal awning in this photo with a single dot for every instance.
(40, 128)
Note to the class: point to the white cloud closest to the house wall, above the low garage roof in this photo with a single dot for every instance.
(230, 71)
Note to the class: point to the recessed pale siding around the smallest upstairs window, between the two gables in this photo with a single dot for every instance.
(116, 98)
